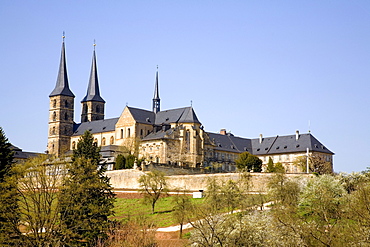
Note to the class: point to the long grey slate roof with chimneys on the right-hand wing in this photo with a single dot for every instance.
(269, 145)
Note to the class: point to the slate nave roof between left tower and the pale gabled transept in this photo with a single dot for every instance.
(97, 126)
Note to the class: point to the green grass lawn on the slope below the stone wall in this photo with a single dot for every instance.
(131, 208)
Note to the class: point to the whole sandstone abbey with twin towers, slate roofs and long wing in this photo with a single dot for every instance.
(172, 137)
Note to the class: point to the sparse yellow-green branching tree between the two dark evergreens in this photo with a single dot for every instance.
(38, 181)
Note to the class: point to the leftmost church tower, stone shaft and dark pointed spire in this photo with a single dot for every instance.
(61, 111)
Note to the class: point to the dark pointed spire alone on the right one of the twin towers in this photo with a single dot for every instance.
(93, 93)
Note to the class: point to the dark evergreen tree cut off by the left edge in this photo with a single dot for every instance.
(8, 196)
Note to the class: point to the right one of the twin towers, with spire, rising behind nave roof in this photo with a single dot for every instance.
(93, 104)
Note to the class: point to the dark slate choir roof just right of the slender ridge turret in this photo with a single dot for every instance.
(179, 115)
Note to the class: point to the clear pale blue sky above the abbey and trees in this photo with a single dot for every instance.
(251, 67)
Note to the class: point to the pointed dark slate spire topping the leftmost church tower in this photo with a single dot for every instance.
(62, 87)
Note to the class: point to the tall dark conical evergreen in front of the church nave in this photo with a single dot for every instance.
(86, 197)
